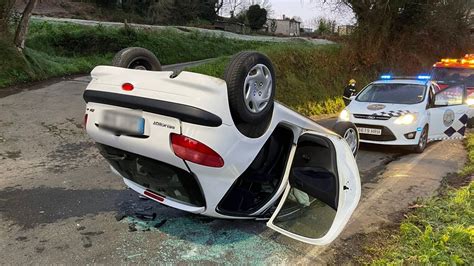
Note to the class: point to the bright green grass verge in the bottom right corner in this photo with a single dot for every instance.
(440, 231)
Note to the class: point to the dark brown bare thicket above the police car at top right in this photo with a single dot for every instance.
(419, 31)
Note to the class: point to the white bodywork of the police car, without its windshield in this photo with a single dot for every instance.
(435, 117)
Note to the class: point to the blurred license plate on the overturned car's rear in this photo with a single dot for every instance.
(120, 122)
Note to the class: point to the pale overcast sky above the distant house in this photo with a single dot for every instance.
(308, 10)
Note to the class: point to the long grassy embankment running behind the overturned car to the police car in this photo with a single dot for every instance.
(310, 78)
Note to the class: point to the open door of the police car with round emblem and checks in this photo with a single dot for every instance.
(448, 114)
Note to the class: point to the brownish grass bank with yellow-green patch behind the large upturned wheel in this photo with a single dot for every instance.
(310, 79)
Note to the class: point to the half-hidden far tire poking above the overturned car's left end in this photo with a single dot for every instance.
(136, 58)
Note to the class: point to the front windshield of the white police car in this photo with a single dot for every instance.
(393, 93)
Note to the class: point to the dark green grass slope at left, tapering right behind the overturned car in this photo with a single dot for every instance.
(57, 49)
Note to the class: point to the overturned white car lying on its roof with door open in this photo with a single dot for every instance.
(223, 148)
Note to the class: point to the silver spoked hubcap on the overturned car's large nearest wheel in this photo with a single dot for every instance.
(258, 88)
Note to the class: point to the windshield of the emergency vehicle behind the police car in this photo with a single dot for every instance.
(454, 75)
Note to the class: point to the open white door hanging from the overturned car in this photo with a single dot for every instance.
(323, 190)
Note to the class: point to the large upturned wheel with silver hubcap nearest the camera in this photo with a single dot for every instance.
(250, 79)
